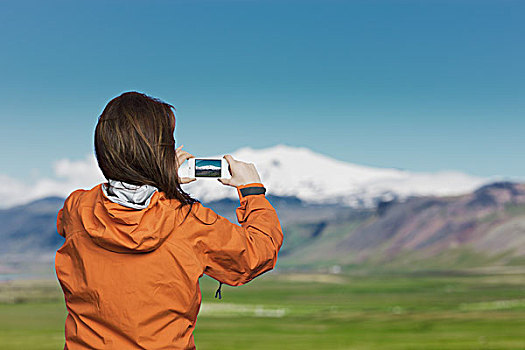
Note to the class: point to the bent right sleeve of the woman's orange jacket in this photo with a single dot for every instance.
(234, 254)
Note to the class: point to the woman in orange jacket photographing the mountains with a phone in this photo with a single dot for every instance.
(137, 245)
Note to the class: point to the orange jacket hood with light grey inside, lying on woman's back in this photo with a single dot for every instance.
(126, 229)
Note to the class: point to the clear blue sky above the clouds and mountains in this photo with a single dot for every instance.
(418, 85)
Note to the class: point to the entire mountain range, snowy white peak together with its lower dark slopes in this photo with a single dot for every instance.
(360, 218)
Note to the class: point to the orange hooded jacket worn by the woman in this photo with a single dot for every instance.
(131, 277)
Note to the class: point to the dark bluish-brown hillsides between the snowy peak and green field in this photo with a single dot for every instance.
(484, 228)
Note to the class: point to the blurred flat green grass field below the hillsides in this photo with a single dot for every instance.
(316, 311)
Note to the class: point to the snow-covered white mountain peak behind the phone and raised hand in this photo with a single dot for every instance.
(316, 178)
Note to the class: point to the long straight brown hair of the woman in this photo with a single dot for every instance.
(134, 143)
